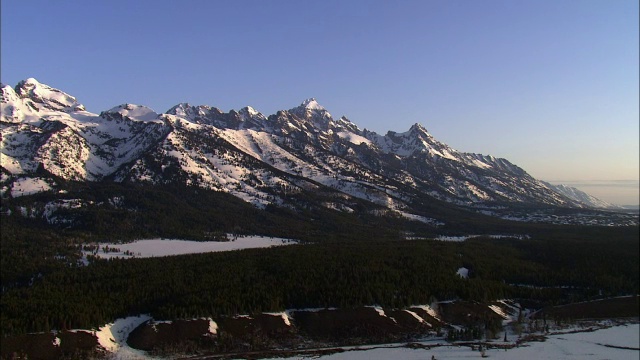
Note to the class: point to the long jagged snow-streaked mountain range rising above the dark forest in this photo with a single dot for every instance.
(260, 159)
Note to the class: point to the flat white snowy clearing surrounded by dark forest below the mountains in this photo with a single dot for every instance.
(160, 247)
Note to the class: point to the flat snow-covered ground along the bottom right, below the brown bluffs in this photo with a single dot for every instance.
(586, 345)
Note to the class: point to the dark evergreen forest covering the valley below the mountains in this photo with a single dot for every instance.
(345, 260)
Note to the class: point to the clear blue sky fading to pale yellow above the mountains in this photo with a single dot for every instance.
(551, 85)
